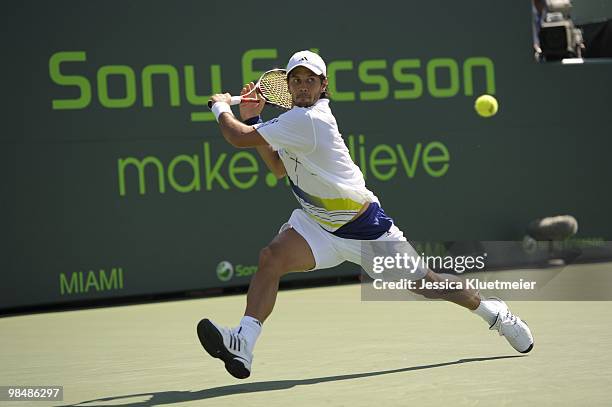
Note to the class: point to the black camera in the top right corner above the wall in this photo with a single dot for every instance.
(559, 37)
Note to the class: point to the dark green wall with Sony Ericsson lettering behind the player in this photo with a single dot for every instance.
(92, 89)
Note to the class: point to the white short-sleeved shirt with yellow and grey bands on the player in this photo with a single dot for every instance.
(325, 180)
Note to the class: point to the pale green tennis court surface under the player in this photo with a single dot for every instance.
(321, 346)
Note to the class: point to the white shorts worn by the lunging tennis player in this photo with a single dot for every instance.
(330, 250)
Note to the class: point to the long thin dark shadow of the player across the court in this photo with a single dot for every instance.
(170, 397)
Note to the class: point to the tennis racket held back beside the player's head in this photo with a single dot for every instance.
(272, 86)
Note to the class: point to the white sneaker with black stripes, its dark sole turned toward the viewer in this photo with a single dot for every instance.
(228, 345)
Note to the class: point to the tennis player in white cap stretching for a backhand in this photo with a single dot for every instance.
(337, 212)
